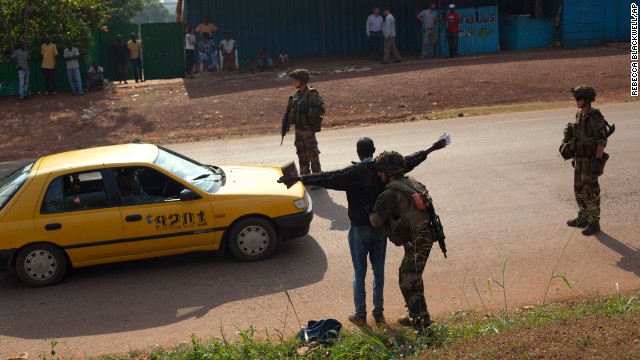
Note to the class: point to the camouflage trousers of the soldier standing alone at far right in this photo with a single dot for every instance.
(587, 190)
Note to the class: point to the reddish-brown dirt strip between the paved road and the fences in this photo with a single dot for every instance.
(219, 105)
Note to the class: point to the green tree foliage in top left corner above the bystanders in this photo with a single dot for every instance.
(62, 20)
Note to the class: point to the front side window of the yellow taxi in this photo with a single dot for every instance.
(141, 185)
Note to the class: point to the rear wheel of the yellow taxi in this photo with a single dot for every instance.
(41, 265)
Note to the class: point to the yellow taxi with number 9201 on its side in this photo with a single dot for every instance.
(136, 201)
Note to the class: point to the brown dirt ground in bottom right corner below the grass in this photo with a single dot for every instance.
(591, 337)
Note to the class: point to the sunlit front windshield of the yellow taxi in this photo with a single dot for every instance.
(207, 178)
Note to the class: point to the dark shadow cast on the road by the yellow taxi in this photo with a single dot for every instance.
(151, 293)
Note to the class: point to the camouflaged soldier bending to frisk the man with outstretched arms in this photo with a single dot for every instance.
(402, 209)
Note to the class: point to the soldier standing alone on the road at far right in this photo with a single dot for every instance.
(590, 133)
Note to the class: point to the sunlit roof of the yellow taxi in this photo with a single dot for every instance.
(104, 155)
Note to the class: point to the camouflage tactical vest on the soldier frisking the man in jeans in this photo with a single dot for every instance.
(409, 224)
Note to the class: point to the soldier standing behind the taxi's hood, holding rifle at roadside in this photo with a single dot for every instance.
(306, 112)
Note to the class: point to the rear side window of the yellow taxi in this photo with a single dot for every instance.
(75, 191)
